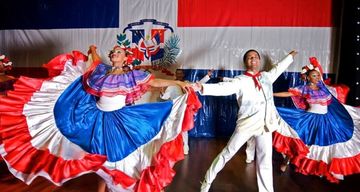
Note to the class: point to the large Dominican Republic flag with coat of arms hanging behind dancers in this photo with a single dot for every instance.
(213, 33)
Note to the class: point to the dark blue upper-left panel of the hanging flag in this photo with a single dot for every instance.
(64, 14)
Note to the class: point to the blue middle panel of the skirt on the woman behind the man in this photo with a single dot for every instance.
(336, 126)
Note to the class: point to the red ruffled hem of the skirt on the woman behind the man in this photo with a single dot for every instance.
(296, 150)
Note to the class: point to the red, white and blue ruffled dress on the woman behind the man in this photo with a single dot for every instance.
(321, 136)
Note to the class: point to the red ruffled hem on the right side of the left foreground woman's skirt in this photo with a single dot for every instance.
(160, 174)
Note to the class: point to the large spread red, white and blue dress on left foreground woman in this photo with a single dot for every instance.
(77, 121)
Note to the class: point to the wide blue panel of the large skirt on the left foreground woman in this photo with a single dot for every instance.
(114, 134)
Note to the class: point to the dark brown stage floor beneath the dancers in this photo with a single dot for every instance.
(236, 175)
